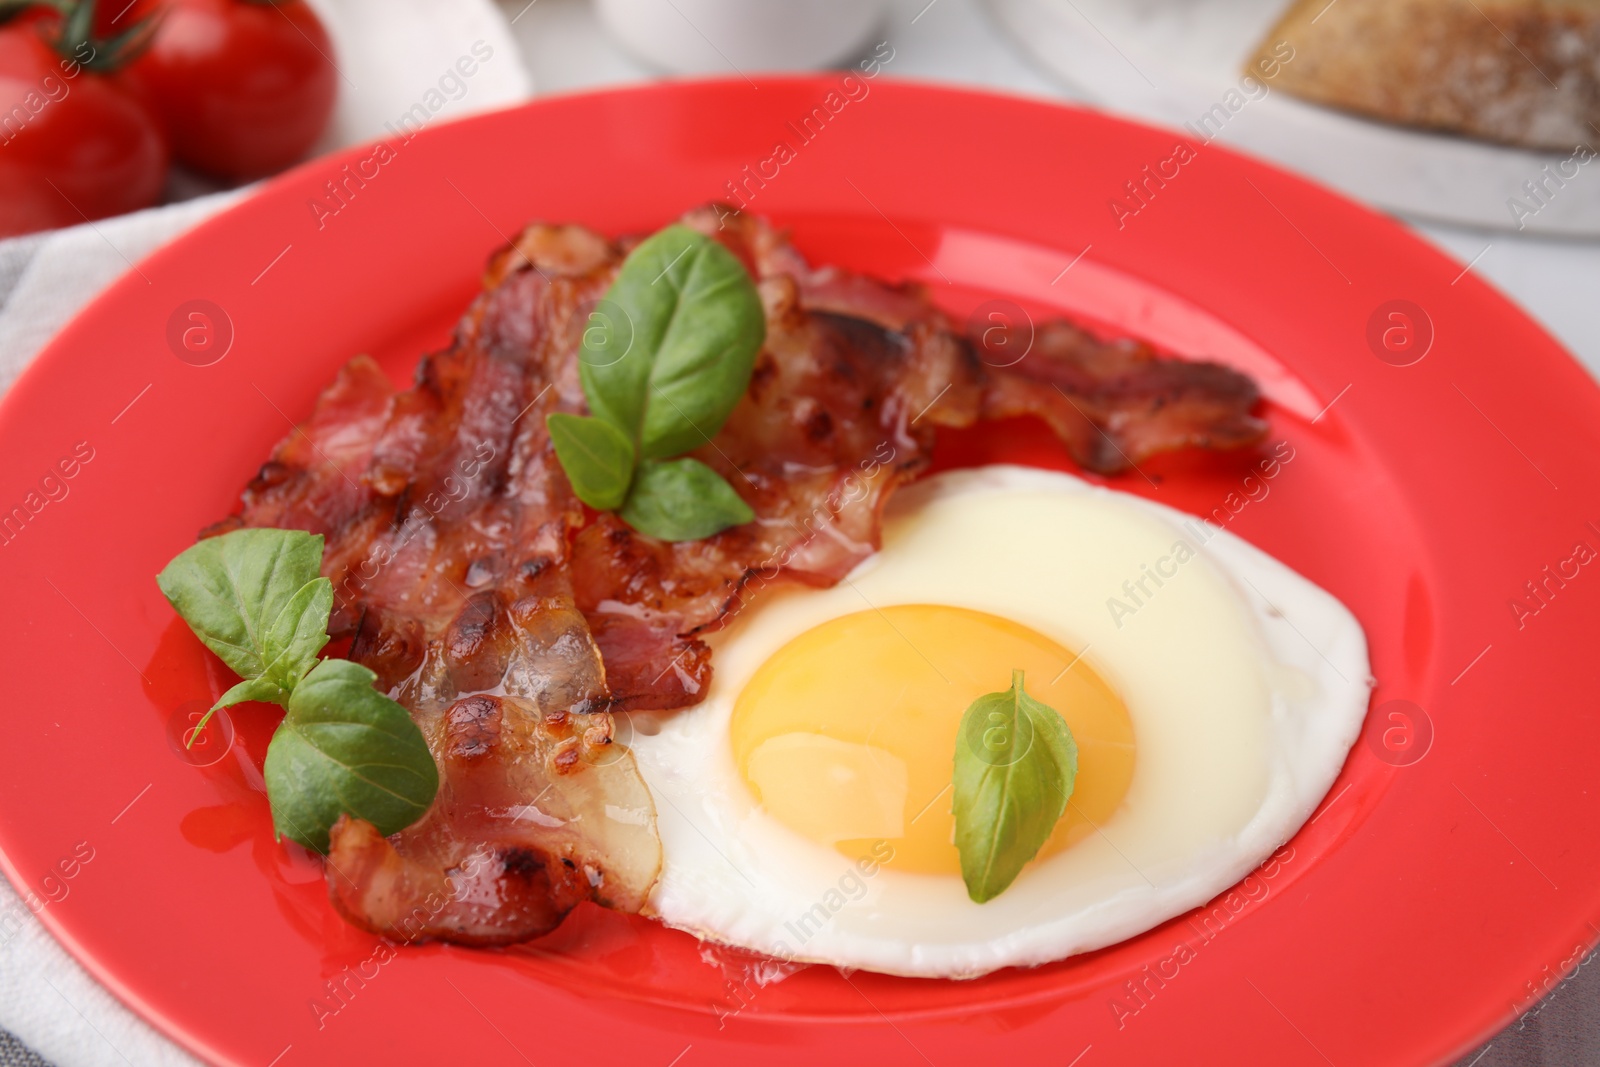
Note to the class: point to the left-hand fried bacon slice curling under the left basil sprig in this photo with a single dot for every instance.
(449, 524)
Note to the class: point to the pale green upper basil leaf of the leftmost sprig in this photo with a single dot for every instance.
(233, 591)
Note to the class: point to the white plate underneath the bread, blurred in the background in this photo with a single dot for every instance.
(1170, 62)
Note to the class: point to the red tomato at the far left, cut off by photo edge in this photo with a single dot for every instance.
(74, 143)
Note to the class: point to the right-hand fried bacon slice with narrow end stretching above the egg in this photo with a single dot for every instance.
(842, 409)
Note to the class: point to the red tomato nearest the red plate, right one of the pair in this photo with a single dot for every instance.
(246, 87)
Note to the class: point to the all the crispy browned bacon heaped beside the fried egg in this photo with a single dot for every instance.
(513, 625)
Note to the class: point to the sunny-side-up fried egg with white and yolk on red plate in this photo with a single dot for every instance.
(806, 805)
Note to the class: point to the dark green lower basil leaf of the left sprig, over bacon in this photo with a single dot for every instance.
(346, 749)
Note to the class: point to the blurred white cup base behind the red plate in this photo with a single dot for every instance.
(742, 36)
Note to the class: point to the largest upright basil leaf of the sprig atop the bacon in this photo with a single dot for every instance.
(671, 374)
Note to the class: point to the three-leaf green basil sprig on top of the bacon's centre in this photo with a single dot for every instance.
(665, 361)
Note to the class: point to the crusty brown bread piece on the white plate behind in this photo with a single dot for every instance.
(1522, 73)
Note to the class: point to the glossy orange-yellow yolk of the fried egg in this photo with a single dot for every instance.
(847, 735)
